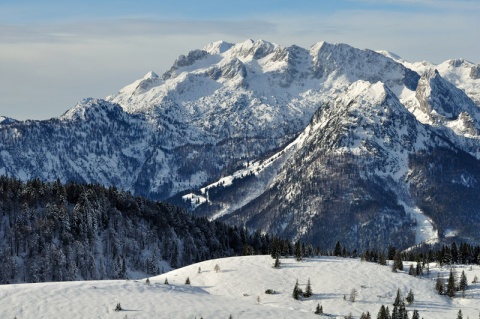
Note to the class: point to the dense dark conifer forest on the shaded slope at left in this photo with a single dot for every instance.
(57, 232)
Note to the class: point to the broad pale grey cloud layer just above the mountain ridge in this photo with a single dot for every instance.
(60, 63)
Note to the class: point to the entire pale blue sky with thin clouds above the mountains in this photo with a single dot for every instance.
(54, 53)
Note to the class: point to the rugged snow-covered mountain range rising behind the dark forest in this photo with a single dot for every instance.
(327, 143)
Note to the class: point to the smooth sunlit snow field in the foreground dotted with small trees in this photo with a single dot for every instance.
(238, 289)
